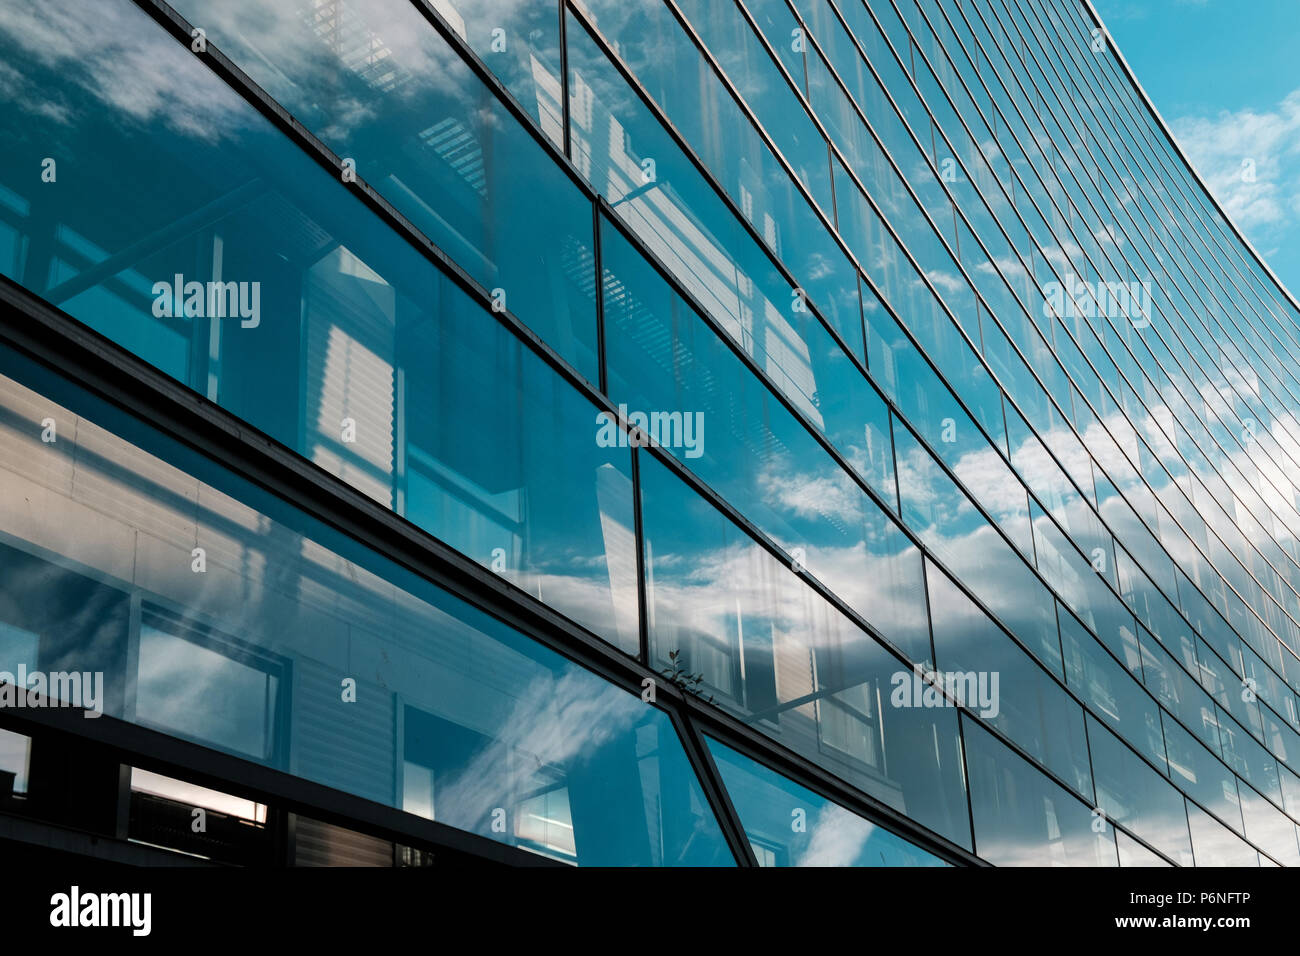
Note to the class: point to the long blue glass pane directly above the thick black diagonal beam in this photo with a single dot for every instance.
(356, 352)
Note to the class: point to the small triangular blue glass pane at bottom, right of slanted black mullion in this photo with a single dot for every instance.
(788, 825)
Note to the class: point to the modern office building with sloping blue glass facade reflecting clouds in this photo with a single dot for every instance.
(632, 432)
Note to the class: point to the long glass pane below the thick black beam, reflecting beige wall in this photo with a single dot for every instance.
(401, 694)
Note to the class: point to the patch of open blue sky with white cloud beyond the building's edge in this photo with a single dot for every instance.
(1227, 77)
